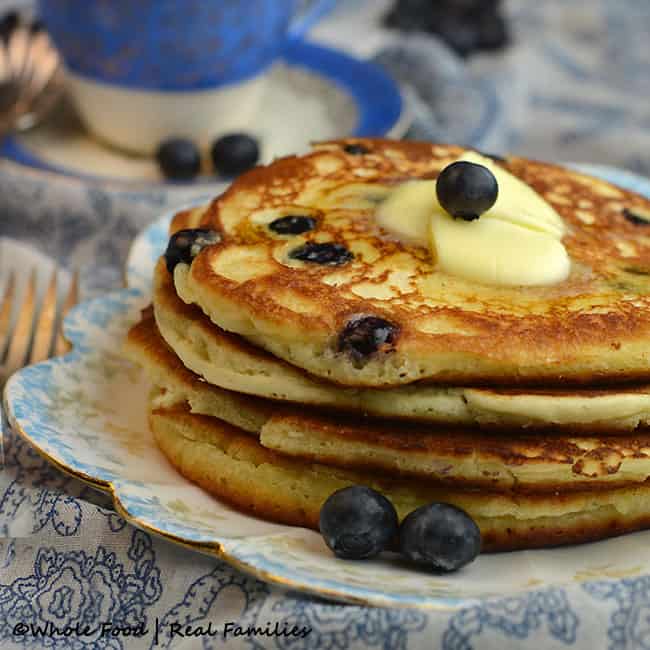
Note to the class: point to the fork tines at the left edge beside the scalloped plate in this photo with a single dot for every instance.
(35, 333)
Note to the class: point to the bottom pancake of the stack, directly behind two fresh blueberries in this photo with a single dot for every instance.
(234, 467)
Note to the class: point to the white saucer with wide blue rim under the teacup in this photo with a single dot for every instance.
(315, 93)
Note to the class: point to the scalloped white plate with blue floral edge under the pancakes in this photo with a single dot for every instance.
(86, 413)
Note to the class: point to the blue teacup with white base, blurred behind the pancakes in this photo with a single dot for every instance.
(140, 71)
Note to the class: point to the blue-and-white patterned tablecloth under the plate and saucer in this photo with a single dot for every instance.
(574, 87)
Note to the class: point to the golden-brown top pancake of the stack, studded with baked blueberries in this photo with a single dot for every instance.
(592, 328)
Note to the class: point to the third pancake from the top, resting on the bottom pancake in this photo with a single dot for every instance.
(455, 456)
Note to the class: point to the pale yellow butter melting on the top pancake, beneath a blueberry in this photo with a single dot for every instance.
(516, 242)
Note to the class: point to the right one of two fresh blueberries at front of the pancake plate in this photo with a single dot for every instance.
(440, 536)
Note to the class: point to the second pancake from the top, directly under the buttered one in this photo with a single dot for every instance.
(229, 361)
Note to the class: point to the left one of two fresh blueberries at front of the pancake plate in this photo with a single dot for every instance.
(358, 523)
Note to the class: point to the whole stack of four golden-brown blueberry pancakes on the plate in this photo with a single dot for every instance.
(309, 349)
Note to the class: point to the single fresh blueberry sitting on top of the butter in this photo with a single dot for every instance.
(466, 190)
